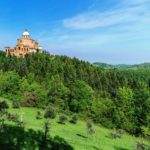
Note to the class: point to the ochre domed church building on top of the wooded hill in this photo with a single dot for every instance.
(24, 46)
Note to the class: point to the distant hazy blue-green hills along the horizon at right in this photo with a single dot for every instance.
(122, 66)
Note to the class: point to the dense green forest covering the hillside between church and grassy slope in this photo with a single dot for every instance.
(114, 98)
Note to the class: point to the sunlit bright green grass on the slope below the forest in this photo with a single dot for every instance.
(76, 135)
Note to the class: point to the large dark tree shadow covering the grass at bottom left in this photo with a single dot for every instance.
(16, 138)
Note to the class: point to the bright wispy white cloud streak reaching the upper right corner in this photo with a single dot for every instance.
(133, 11)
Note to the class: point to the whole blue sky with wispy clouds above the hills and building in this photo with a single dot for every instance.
(112, 31)
